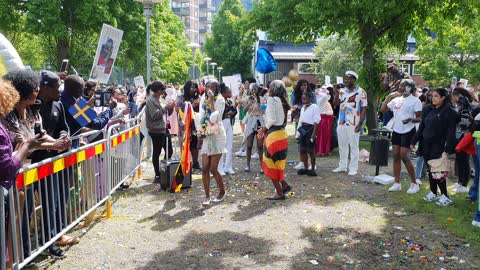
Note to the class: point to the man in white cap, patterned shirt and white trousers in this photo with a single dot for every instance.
(353, 108)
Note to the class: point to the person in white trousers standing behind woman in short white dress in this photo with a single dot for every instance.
(225, 165)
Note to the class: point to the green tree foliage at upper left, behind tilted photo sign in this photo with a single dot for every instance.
(45, 32)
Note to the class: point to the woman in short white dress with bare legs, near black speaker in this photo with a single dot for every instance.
(214, 141)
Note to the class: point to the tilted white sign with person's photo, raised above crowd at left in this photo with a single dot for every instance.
(107, 49)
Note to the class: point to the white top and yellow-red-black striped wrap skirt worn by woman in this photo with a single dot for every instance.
(275, 145)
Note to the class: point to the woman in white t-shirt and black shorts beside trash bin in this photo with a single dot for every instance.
(407, 112)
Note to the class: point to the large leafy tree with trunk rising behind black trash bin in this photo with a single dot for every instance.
(376, 23)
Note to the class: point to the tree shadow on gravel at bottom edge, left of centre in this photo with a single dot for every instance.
(221, 250)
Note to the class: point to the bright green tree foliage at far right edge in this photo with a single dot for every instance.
(450, 48)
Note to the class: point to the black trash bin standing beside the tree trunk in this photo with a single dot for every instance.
(380, 142)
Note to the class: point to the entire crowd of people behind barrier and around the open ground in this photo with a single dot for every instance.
(35, 125)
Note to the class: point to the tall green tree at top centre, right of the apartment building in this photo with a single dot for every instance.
(230, 45)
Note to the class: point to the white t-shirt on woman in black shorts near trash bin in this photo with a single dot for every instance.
(404, 108)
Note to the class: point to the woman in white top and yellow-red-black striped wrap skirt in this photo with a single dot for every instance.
(276, 140)
